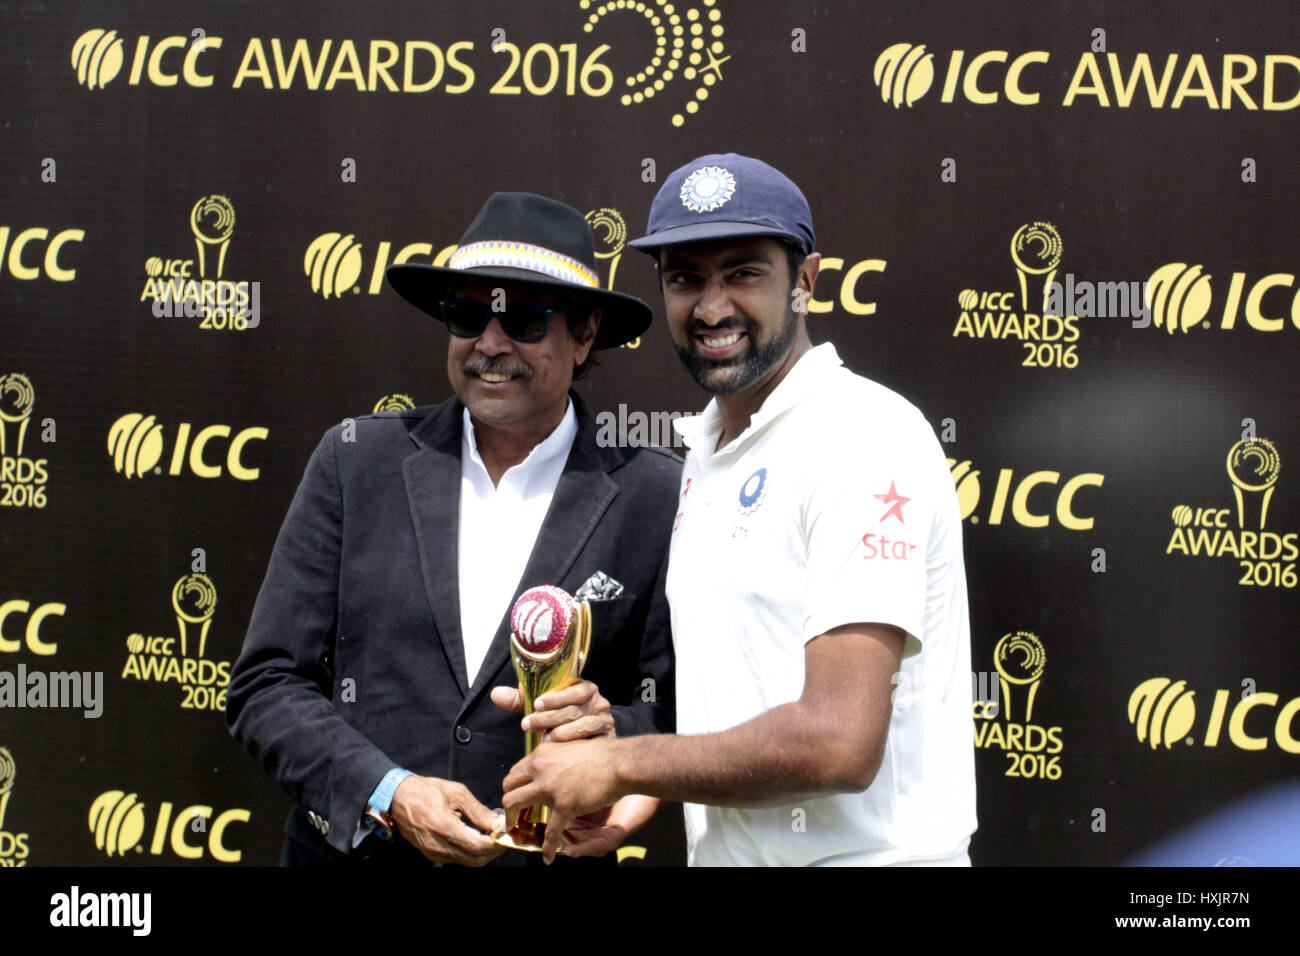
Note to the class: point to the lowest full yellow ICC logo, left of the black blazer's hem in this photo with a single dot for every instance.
(119, 823)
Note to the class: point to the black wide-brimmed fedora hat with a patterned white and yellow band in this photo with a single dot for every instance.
(526, 239)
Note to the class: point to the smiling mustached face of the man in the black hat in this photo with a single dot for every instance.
(505, 383)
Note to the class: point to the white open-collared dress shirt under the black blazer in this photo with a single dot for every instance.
(499, 529)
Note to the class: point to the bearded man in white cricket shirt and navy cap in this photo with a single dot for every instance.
(816, 574)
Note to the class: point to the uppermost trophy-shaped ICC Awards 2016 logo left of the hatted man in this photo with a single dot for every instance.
(194, 288)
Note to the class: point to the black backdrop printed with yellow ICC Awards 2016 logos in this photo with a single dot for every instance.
(1091, 453)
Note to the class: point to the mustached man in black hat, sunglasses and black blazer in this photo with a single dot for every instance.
(375, 682)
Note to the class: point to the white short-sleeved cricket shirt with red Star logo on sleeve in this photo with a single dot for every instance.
(835, 507)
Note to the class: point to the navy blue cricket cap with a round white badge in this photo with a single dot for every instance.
(727, 196)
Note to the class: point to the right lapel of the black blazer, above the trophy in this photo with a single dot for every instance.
(582, 498)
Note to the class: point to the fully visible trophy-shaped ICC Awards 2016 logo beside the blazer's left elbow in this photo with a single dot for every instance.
(181, 659)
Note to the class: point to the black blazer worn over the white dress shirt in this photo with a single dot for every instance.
(354, 661)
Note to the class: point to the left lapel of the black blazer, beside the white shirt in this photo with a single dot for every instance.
(434, 491)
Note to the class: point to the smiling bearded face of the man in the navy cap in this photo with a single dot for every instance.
(731, 312)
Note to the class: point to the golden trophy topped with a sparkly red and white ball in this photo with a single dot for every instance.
(551, 634)
